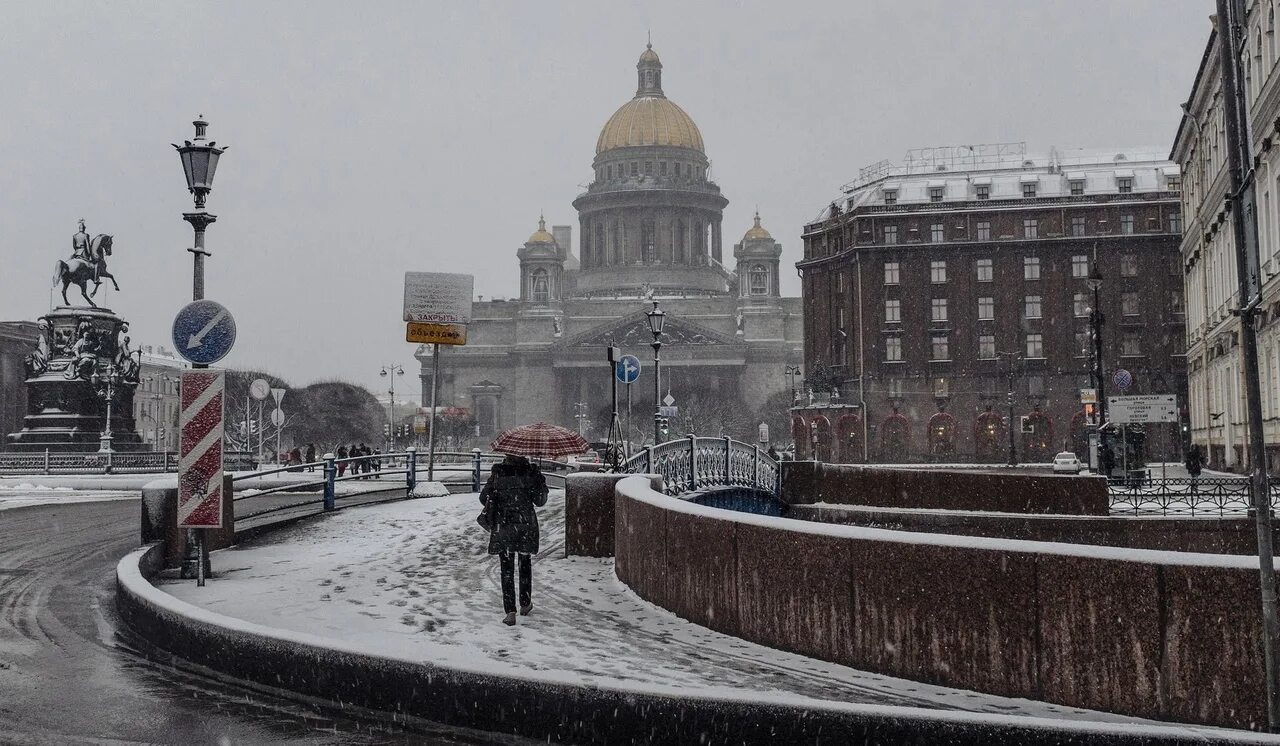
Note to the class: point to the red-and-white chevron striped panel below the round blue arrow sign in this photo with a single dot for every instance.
(200, 450)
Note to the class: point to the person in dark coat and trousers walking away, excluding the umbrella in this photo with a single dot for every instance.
(515, 488)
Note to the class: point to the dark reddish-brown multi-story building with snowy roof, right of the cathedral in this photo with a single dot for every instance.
(940, 290)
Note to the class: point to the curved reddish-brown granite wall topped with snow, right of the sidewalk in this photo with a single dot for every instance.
(1172, 637)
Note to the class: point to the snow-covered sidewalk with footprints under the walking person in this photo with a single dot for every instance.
(413, 582)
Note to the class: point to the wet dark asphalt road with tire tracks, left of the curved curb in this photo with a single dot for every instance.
(70, 674)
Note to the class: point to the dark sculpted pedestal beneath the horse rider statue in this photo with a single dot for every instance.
(65, 411)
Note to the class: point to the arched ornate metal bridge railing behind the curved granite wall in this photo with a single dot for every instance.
(693, 464)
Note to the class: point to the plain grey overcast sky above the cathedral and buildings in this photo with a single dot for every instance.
(371, 139)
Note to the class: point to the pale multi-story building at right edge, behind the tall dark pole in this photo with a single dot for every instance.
(1214, 353)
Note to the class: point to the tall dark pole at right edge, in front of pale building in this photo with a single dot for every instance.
(1231, 16)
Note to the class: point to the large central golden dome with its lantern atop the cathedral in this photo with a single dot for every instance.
(651, 118)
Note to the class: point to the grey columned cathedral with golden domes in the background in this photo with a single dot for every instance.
(650, 230)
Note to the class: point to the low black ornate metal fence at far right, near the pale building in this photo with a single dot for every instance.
(1185, 497)
